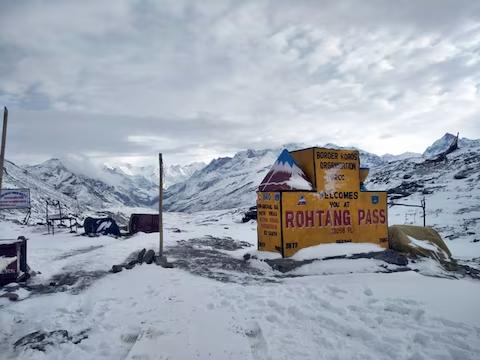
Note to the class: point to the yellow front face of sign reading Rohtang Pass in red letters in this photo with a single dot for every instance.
(309, 219)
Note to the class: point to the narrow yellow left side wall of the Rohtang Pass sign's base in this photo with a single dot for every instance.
(269, 221)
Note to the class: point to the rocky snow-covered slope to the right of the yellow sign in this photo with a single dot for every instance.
(451, 189)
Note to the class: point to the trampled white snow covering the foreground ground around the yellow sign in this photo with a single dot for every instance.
(331, 309)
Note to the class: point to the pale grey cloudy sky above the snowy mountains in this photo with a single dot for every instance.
(124, 80)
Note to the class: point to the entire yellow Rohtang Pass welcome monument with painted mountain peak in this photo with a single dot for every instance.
(335, 211)
